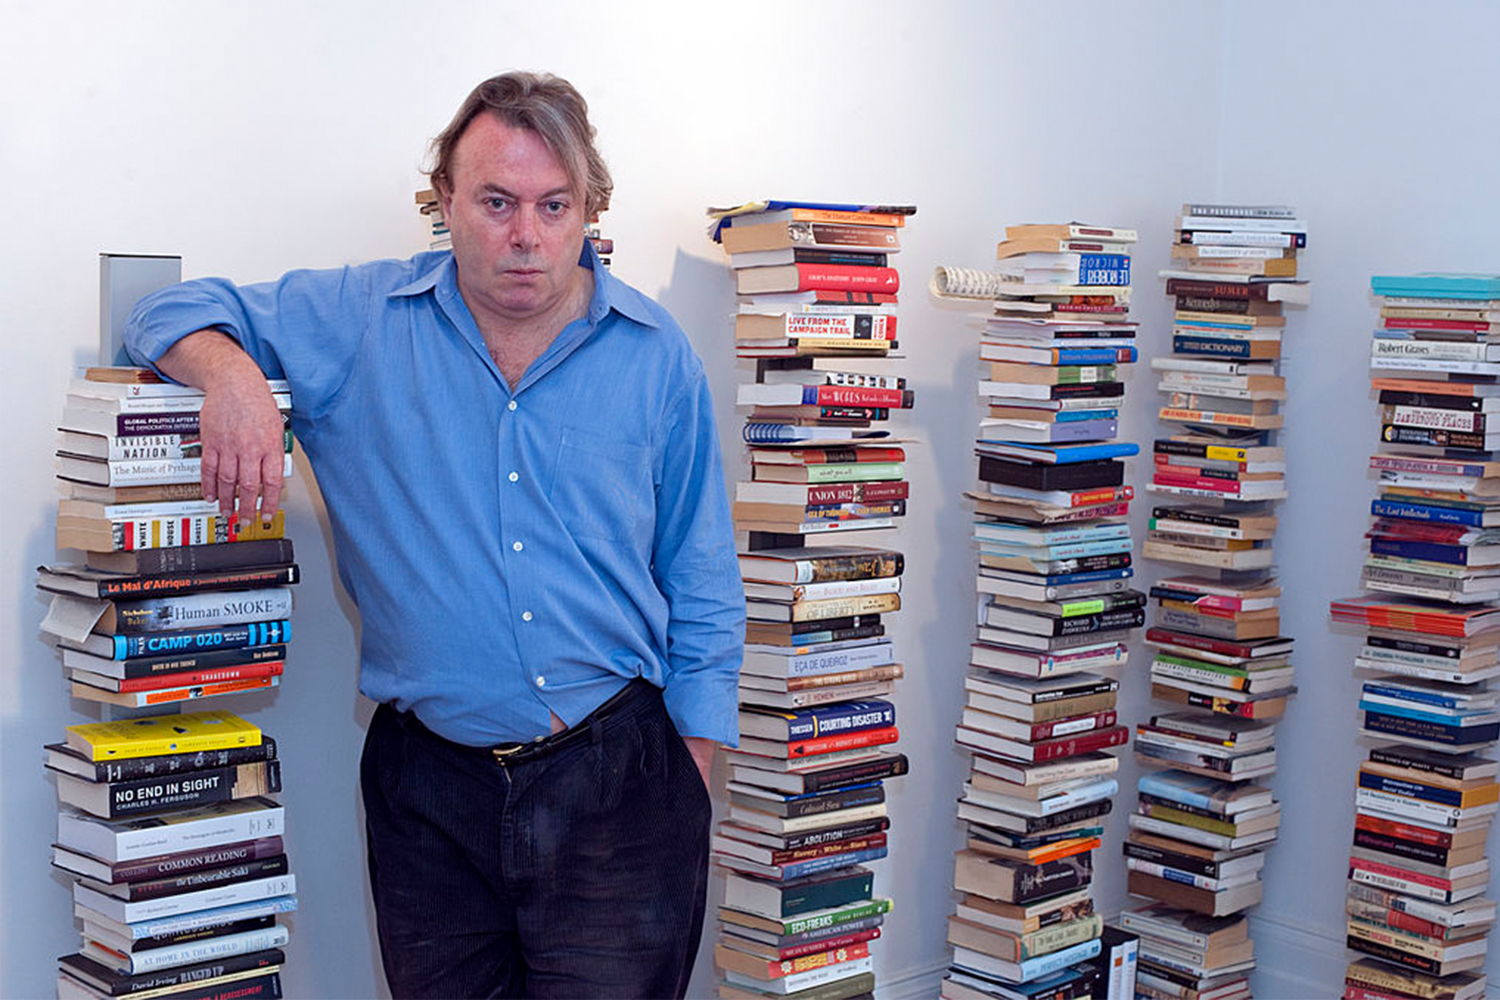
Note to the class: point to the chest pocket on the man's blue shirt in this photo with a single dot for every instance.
(602, 488)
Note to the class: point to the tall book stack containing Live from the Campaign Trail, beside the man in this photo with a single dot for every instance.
(818, 729)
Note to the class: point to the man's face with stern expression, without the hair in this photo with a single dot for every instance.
(517, 223)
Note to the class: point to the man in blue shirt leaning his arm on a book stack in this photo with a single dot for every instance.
(524, 482)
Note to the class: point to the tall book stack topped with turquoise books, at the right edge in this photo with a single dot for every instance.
(1427, 792)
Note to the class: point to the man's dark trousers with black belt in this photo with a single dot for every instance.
(574, 873)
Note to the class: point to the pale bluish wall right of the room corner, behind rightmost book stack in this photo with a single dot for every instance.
(1381, 125)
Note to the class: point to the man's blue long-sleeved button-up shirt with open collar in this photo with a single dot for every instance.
(512, 552)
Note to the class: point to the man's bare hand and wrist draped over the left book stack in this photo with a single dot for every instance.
(241, 428)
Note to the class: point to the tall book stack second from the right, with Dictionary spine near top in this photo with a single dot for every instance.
(1202, 825)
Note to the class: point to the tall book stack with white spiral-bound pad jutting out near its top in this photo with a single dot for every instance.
(1057, 611)
